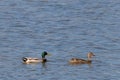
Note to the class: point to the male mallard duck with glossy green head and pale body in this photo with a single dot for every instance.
(35, 60)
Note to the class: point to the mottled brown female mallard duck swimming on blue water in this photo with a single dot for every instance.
(82, 61)
